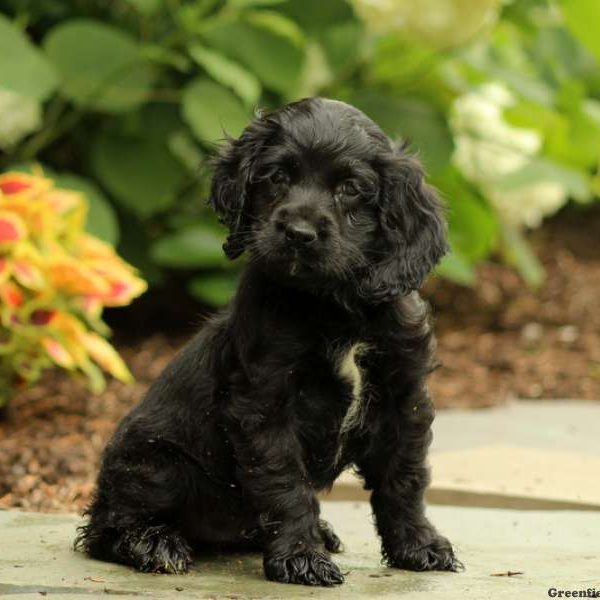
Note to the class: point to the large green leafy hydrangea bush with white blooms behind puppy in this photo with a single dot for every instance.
(124, 100)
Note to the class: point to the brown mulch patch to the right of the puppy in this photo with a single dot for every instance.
(502, 340)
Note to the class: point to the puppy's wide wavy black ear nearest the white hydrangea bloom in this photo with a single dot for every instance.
(413, 225)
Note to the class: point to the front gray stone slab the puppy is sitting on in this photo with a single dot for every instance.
(548, 548)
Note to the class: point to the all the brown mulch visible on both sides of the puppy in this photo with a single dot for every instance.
(497, 341)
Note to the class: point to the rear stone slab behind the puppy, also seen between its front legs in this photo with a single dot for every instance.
(525, 455)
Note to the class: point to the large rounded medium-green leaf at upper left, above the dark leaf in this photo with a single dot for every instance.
(101, 67)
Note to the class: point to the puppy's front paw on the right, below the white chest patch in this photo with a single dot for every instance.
(425, 551)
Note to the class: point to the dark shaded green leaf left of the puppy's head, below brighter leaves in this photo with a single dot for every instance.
(139, 172)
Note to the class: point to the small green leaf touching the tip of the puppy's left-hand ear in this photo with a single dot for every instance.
(193, 247)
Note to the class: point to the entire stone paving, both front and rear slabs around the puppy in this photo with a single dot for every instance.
(530, 455)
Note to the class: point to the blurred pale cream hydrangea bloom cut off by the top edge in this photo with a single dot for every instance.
(441, 23)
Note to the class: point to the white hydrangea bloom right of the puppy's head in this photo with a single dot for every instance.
(488, 148)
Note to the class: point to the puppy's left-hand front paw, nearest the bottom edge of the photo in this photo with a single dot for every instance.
(308, 568)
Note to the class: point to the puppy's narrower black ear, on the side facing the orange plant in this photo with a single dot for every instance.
(233, 171)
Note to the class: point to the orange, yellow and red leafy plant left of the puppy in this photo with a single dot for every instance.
(55, 279)
